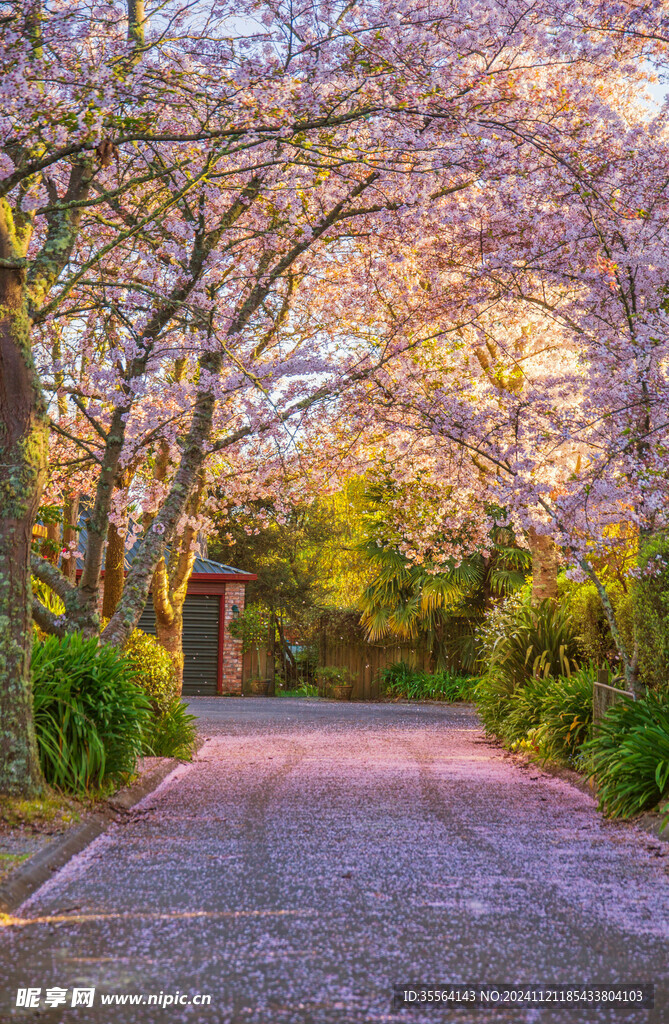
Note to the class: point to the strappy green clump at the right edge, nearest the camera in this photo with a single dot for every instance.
(630, 756)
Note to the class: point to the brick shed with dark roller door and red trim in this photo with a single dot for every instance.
(213, 659)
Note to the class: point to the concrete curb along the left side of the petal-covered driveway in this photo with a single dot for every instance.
(28, 878)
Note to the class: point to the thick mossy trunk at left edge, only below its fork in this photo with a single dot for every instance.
(23, 472)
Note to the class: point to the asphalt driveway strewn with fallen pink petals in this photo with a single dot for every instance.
(319, 854)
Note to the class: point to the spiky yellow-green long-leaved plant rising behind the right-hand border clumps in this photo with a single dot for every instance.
(533, 643)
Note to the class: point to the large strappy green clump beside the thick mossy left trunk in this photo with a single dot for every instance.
(90, 713)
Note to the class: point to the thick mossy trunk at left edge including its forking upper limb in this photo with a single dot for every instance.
(24, 439)
